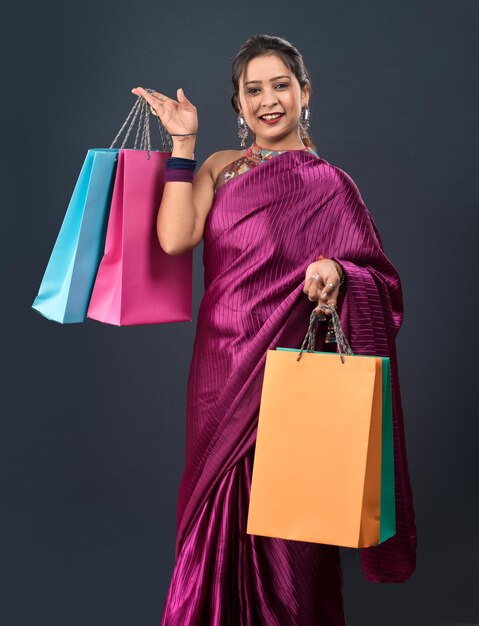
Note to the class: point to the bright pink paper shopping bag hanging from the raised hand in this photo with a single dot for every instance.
(137, 282)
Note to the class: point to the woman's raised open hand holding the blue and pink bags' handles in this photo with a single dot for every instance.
(178, 117)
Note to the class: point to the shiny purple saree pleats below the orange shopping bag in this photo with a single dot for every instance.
(224, 576)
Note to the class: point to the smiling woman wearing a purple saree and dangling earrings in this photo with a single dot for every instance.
(279, 223)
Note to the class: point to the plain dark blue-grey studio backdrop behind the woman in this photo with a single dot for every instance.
(93, 420)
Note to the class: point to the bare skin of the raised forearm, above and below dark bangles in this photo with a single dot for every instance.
(176, 215)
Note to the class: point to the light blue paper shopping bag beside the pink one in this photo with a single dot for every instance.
(68, 281)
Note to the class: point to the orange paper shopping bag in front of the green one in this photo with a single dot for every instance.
(317, 466)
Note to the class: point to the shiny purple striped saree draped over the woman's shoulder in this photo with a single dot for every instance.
(264, 228)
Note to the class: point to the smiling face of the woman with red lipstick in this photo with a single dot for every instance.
(269, 86)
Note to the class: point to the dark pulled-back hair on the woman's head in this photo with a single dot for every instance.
(259, 45)
